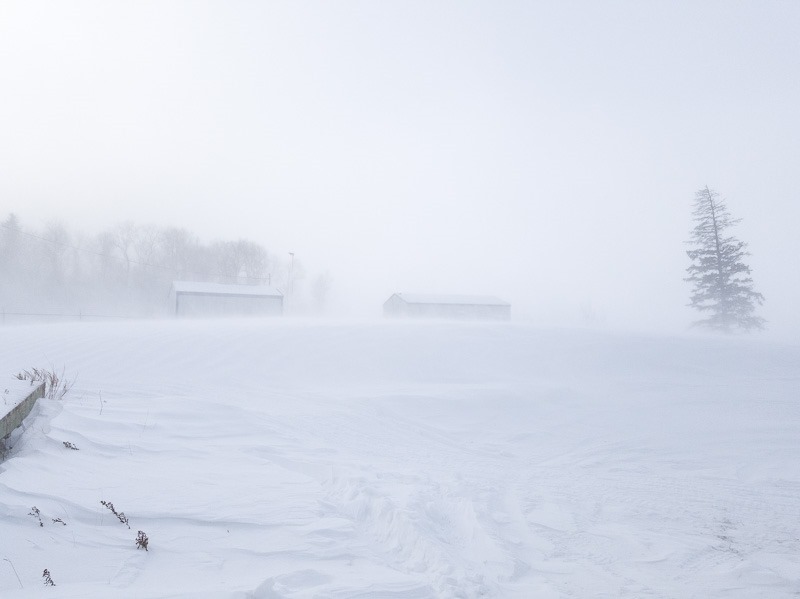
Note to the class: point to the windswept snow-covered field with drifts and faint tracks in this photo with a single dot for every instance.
(283, 459)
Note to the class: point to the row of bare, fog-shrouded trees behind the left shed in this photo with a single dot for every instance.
(126, 270)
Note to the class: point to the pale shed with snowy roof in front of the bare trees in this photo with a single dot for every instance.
(215, 300)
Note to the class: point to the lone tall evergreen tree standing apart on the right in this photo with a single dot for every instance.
(722, 286)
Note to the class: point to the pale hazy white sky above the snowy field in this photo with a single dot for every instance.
(544, 152)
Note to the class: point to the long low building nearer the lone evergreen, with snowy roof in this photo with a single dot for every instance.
(458, 307)
